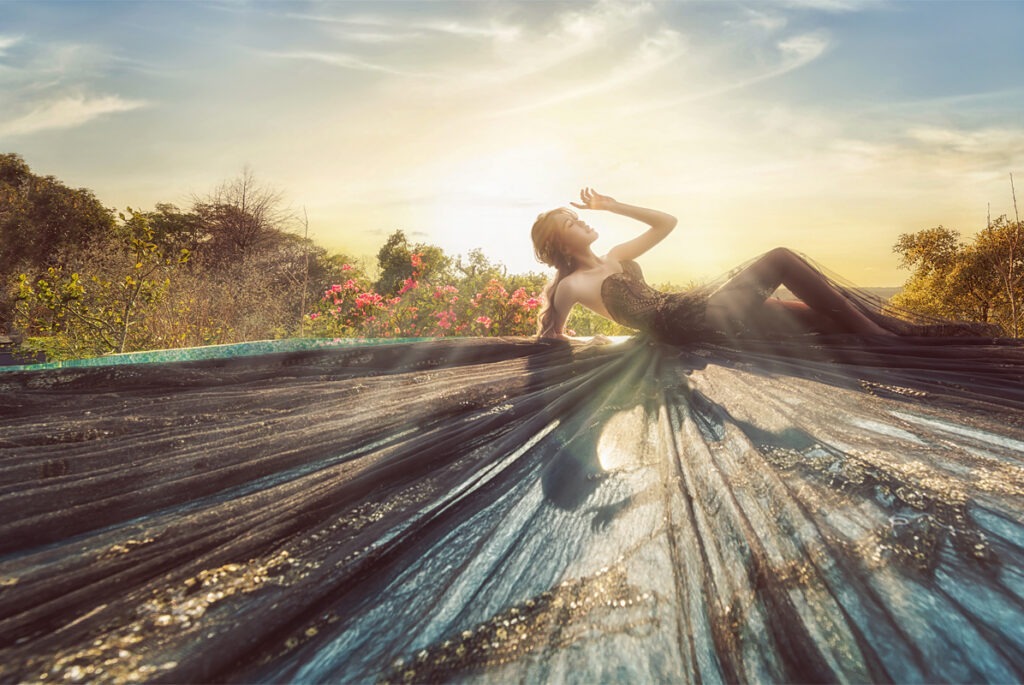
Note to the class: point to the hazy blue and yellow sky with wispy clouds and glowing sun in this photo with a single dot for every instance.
(827, 126)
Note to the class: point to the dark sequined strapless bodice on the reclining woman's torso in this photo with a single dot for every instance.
(670, 317)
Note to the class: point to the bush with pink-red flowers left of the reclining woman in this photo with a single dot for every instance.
(423, 310)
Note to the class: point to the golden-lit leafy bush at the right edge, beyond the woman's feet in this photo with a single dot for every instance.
(982, 281)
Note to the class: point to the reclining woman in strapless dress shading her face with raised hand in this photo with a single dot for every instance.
(613, 286)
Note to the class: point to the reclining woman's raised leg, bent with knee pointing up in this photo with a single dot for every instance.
(744, 295)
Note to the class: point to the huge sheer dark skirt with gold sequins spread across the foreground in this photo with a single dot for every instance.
(497, 510)
